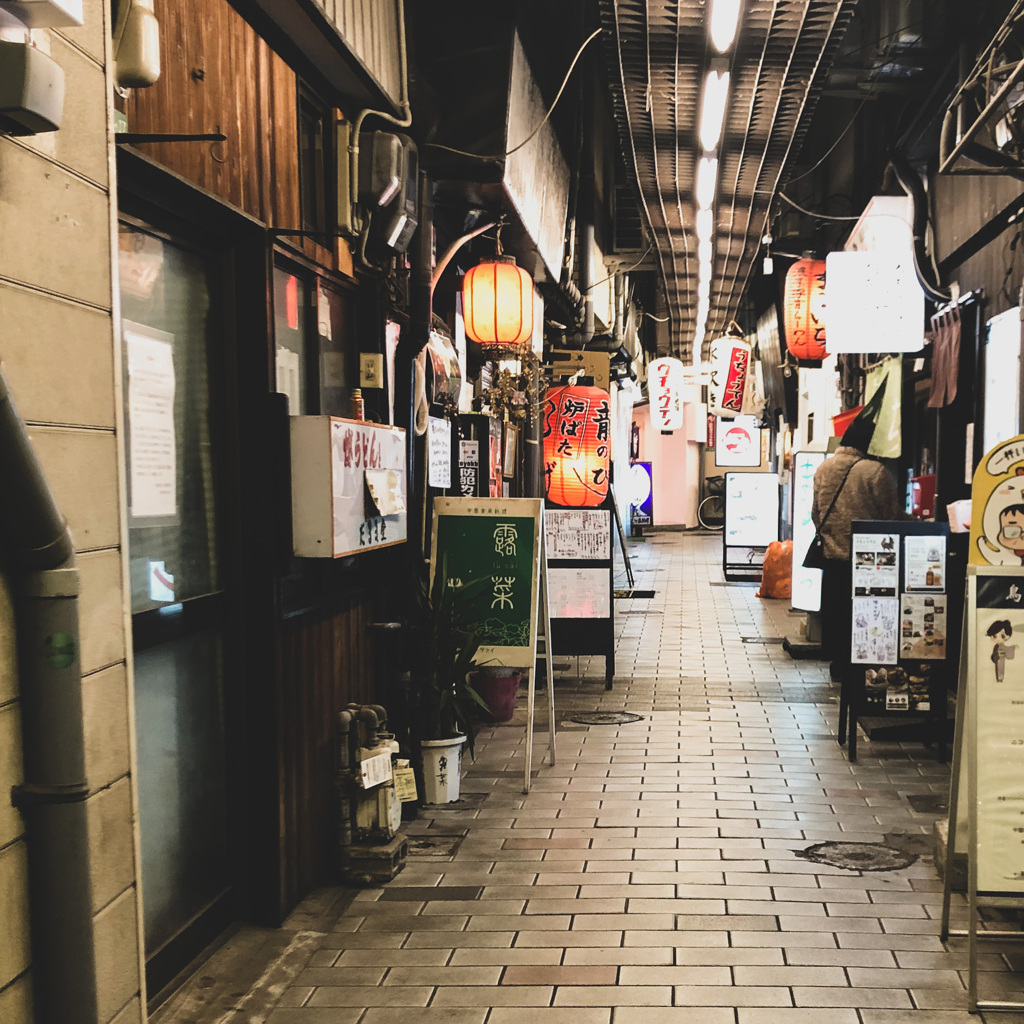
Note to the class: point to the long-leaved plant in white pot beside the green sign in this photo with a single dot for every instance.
(445, 700)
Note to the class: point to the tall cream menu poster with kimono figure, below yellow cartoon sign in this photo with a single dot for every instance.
(1000, 716)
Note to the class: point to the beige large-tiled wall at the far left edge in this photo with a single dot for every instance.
(58, 349)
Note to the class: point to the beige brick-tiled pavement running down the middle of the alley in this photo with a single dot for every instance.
(653, 876)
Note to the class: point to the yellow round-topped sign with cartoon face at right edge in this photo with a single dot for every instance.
(998, 506)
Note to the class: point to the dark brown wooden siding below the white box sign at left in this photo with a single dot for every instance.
(325, 665)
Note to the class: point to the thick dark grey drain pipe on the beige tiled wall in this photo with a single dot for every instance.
(38, 547)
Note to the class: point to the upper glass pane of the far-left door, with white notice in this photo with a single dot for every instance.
(169, 321)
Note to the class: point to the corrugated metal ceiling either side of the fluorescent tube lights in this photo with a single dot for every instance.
(658, 55)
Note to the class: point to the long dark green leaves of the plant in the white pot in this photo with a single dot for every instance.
(446, 645)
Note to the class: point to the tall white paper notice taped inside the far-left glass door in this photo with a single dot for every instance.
(152, 454)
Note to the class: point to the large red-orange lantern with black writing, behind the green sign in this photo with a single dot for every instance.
(577, 446)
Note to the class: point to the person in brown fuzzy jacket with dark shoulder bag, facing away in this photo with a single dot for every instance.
(856, 486)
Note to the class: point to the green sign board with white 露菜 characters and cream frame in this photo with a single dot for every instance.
(494, 543)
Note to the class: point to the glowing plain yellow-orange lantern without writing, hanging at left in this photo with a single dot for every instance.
(498, 303)
